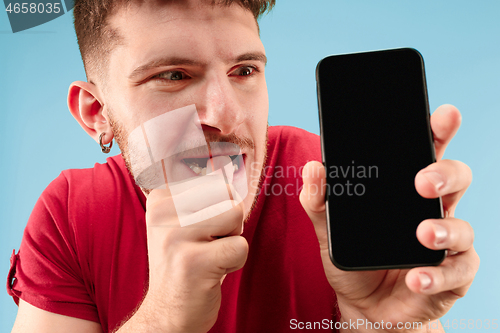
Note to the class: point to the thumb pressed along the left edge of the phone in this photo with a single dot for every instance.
(312, 198)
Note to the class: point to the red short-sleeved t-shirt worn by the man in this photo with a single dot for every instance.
(84, 249)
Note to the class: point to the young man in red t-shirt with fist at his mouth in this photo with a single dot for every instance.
(101, 255)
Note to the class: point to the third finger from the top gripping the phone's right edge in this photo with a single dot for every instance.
(450, 233)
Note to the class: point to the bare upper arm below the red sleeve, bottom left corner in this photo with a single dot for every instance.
(32, 319)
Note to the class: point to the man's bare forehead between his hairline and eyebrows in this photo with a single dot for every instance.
(184, 28)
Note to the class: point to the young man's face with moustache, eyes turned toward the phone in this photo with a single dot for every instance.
(187, 53)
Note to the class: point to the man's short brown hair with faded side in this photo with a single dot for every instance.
(97, 39)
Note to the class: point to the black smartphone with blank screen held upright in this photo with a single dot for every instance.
(375, 138)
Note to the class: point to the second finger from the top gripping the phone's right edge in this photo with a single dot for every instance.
(447, 179)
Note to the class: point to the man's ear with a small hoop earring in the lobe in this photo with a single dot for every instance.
(87, 107)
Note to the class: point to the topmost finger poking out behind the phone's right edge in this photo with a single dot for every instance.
(445, 122)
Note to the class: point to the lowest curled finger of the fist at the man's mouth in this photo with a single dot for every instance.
(227, 254)
